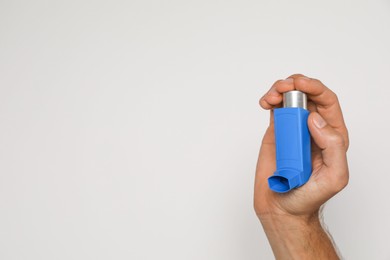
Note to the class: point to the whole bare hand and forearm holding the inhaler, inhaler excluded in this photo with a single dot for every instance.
(291, 220)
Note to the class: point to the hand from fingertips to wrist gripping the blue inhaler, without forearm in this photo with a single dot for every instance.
(329, 146)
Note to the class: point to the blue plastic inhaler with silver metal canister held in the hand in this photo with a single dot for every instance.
(292, 138)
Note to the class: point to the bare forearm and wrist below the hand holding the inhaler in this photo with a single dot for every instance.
(298, 238)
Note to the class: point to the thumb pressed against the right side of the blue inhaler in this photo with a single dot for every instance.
(333, 149)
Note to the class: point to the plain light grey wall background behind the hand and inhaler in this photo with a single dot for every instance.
(130, 129)
